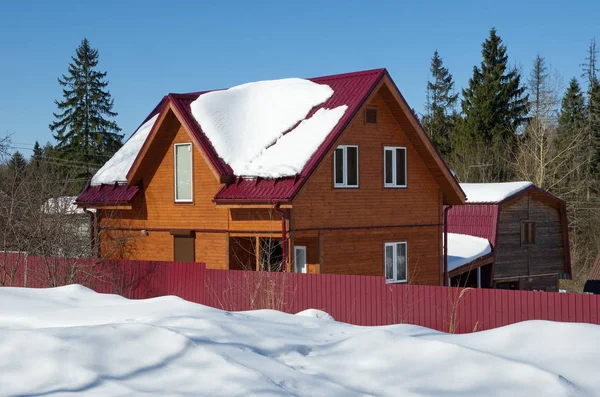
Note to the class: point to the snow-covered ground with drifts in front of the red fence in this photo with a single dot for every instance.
(70, 339)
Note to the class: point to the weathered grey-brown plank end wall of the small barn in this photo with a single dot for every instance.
(544, 257)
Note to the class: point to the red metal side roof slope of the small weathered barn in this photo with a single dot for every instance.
(478, 220)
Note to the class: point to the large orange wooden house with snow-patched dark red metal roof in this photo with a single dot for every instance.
(368, 200)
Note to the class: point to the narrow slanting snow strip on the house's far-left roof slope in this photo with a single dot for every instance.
(116, 169)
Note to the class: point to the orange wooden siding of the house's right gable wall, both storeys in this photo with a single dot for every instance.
(370, 207)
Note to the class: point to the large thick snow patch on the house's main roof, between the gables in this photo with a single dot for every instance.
(246, 124)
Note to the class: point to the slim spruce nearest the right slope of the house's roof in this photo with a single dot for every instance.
(440, 107)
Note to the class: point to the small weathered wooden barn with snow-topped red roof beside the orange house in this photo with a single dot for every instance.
(528, 233)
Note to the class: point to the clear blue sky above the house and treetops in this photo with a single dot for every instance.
(151, 48)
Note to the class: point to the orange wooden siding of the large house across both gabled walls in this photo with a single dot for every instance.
(344, 230)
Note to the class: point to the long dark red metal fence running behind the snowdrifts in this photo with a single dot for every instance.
(362, 300)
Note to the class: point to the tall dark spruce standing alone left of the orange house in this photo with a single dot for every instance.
(83, 127)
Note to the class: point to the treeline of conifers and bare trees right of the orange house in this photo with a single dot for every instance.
(505, 126)
